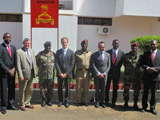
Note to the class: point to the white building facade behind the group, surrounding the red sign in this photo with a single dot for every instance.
(84, 19)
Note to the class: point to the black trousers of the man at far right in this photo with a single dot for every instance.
(152, 85)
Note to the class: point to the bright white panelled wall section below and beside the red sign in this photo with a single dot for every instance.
(67, 28)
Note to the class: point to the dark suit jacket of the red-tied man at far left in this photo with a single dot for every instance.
(6, 62)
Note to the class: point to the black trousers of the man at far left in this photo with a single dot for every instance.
(7, 82)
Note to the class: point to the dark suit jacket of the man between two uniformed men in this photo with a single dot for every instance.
(65, 65)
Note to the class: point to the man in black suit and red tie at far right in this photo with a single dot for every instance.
(151, 64)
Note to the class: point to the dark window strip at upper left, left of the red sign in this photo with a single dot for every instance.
(10, 18)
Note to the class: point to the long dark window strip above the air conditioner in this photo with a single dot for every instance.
(95, 21)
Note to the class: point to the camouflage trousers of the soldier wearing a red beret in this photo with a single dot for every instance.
(136, 86)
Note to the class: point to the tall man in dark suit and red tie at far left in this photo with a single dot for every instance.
(7, 76)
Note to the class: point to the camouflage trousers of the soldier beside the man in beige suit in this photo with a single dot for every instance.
(46, 88)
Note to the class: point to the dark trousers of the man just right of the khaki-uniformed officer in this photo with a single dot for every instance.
(100, 85)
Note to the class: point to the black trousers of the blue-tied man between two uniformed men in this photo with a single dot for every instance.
(66, 82)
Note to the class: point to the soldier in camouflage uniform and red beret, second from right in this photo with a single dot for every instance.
(132, 75)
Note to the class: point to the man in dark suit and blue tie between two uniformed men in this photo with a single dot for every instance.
(65, 60)
